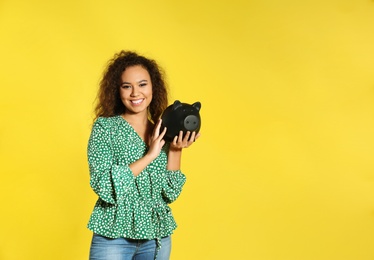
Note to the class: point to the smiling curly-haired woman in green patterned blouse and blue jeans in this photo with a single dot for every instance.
(132, 170)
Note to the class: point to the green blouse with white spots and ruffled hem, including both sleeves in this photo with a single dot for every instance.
(129, 206)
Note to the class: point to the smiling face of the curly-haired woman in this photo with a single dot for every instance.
(136, 89)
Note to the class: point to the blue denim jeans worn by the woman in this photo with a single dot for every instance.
(103, 248)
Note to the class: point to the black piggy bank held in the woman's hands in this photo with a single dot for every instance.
(180, 117)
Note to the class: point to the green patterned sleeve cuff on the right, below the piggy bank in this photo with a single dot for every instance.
(172, 186)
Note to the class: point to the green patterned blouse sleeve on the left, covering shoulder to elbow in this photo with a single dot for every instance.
(111, 182)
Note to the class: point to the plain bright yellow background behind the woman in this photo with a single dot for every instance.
(284, 167)
